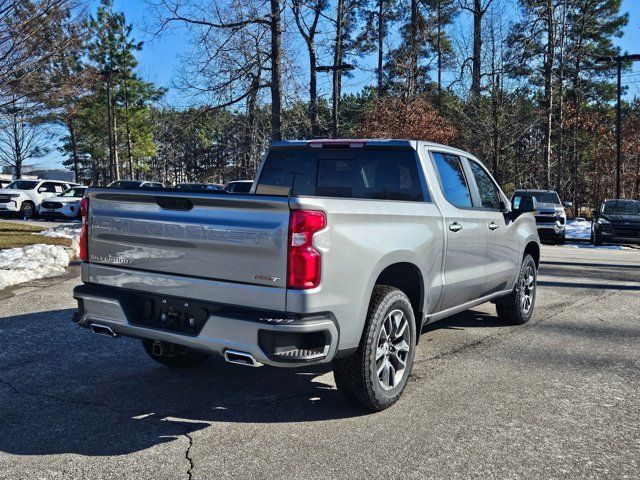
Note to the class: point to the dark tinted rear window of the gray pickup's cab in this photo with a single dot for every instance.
(368, 173)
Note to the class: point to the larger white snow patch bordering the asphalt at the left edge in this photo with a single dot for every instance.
(19, 265)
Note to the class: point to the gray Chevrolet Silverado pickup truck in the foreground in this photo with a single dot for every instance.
(340, 253)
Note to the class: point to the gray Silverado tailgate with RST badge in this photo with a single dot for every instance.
(234, 238)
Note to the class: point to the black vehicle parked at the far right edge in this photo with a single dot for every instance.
(616, 221)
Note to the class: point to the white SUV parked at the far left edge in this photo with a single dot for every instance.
(25, 196)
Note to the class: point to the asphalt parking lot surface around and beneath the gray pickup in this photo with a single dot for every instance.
(559, 397)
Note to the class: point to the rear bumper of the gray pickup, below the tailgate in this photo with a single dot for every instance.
(268, 336)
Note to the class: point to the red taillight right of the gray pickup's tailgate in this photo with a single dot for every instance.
(304, 261)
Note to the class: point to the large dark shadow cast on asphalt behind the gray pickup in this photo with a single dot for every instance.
(65, 390)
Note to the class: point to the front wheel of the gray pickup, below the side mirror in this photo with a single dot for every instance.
(517, 307)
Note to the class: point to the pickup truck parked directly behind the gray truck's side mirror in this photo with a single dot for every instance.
(551, 219)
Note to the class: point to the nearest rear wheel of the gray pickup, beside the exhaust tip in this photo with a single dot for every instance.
(376, 374)
